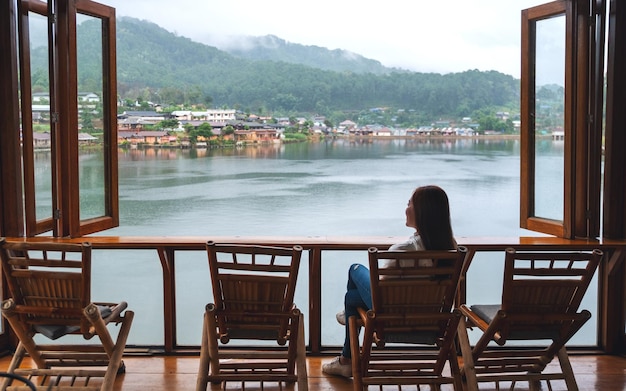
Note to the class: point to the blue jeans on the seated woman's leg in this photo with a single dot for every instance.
(359, 294)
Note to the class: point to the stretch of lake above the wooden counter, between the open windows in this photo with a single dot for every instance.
(328, 188)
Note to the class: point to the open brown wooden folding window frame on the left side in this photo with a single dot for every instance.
(65, 220)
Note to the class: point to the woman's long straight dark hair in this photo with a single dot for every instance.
(432, 218)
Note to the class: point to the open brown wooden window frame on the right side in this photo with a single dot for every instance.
(582, 122)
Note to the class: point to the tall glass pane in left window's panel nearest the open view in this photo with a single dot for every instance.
(90, 117)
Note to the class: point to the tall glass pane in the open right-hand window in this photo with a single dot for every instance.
(549, 117)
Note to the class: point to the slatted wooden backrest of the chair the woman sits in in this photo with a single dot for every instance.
(413, 300)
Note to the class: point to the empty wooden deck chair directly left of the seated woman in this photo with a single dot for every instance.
(253, 291)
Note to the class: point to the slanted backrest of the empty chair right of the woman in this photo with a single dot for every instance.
(543, 290)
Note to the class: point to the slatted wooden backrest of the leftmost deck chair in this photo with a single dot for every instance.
(49, 282)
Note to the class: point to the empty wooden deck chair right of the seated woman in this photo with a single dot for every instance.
(540, 298)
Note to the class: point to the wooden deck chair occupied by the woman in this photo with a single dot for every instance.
(412, 321)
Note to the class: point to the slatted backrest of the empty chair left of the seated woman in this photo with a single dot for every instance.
(253, 289)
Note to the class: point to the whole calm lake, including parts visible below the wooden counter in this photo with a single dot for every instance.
(335, 187)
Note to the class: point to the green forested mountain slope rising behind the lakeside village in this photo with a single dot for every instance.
(159, 66)
